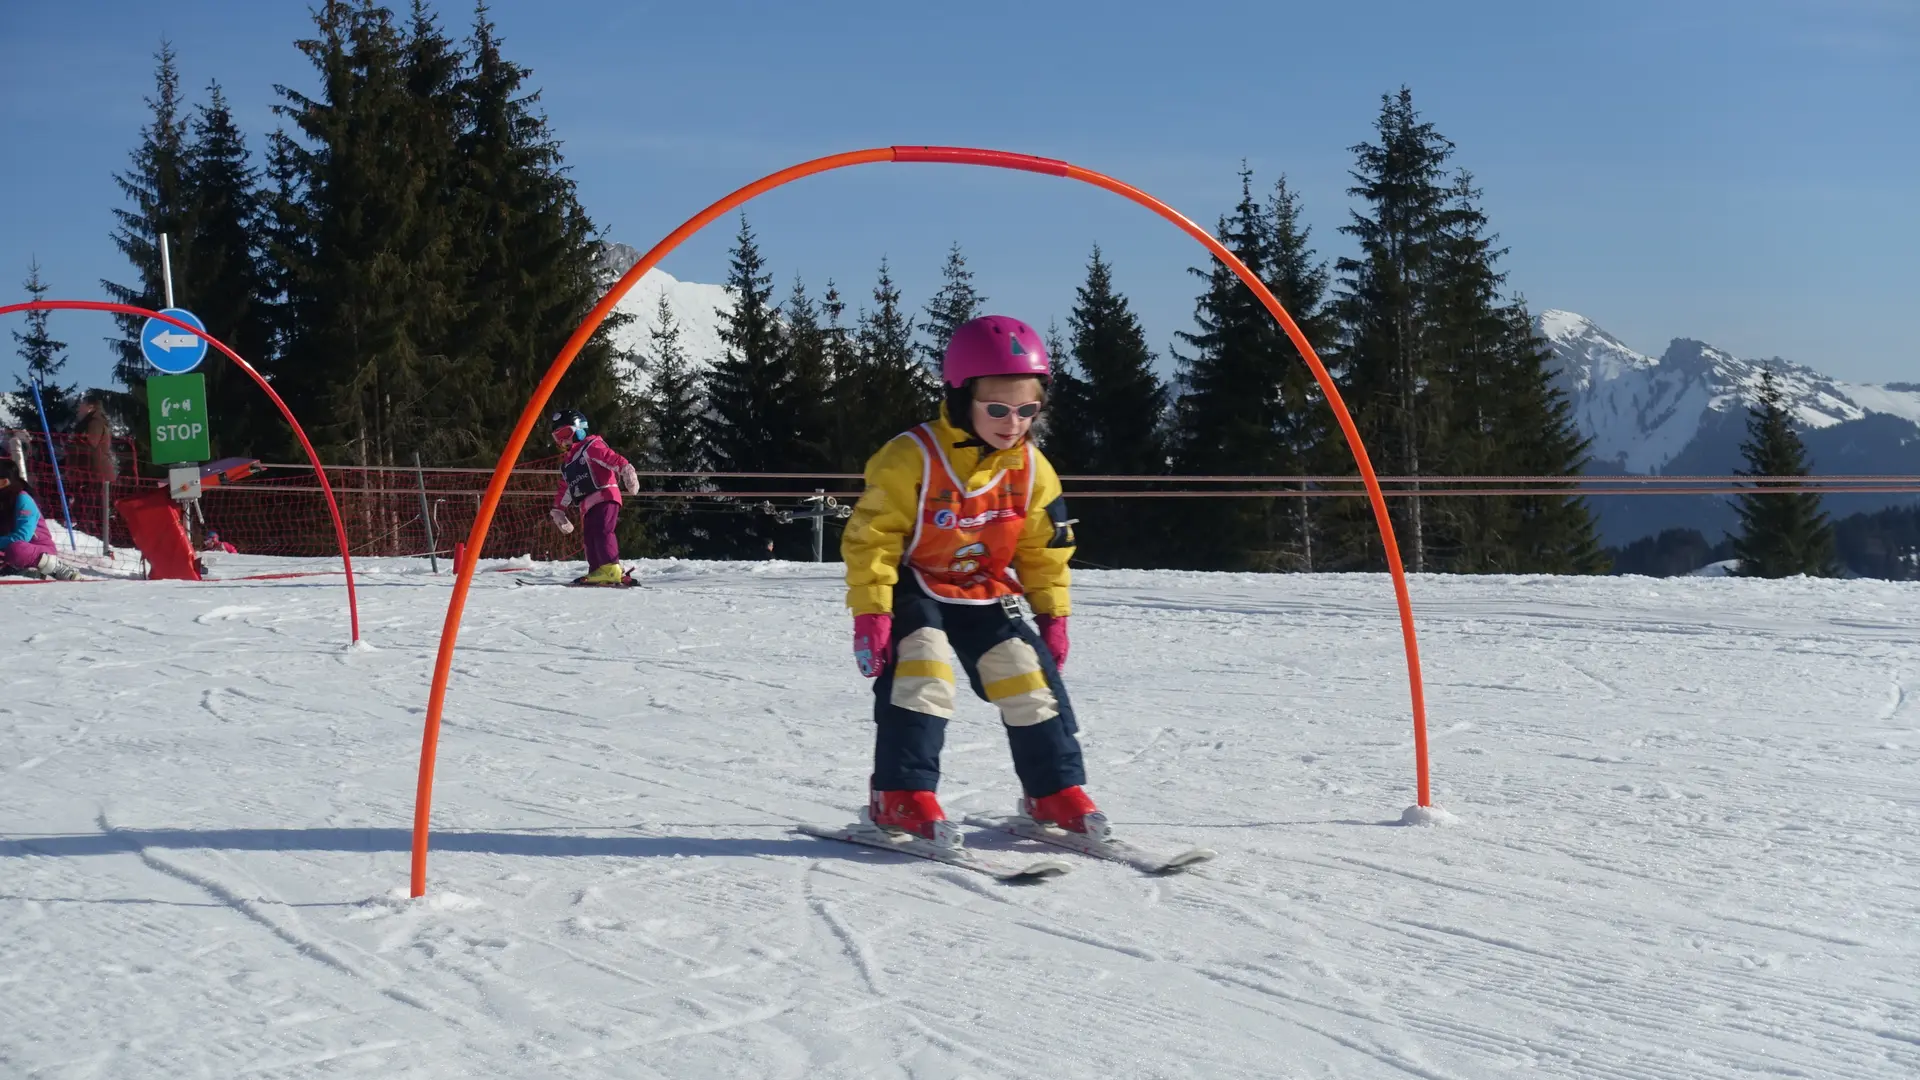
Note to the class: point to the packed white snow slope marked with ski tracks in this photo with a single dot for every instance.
(1687, 837)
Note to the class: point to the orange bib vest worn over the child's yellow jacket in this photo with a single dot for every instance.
(963, 545)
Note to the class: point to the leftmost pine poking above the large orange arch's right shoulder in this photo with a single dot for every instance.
(1230, 416)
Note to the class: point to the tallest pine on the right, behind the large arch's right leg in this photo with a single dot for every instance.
(1385, 308)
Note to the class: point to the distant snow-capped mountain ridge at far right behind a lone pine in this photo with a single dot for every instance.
(1687, 414)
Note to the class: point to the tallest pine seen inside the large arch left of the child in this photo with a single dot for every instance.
(746, 395)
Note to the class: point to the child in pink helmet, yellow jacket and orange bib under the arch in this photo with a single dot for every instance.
(959, 520)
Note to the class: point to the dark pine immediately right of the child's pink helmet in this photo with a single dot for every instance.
(1109, 414)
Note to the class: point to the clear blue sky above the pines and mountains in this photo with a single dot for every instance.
(1742, 172)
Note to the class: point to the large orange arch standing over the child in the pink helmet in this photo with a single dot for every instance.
(924, 155)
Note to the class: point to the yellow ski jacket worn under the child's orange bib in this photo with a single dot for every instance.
(884, 518)
